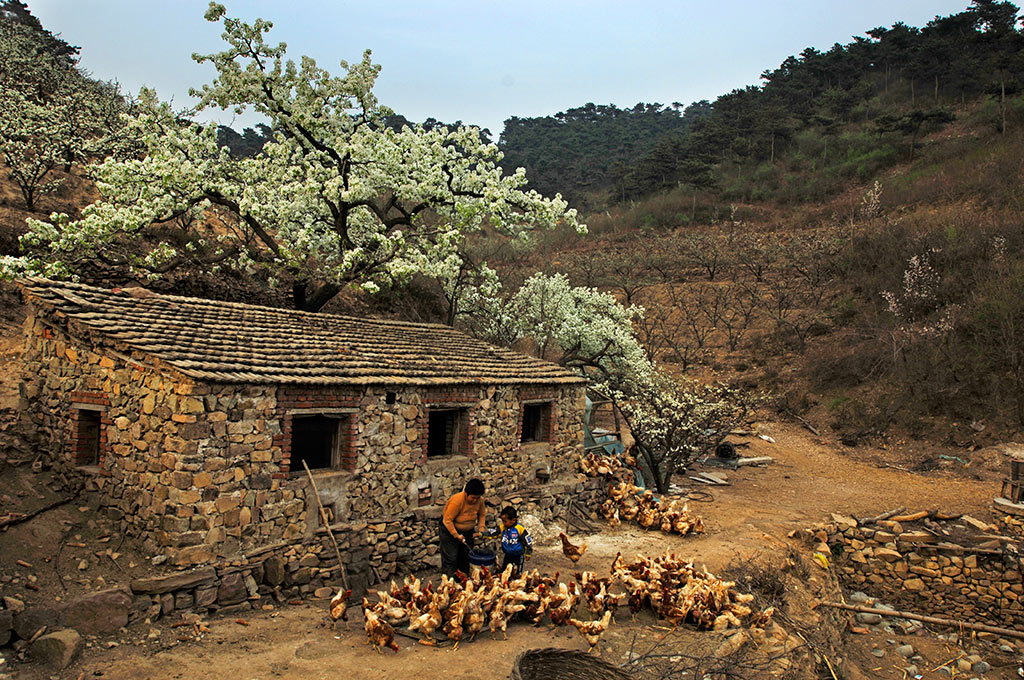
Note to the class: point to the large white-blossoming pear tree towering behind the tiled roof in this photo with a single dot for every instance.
(336, 199)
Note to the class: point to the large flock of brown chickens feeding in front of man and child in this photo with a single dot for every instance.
(463, 607)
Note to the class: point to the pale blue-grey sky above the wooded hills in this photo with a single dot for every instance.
(484, 62)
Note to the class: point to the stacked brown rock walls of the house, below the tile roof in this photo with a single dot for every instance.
(203, 472)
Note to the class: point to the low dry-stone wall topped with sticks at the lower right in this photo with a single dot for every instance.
(916, 571)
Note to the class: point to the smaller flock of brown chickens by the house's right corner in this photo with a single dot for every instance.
(628, 502)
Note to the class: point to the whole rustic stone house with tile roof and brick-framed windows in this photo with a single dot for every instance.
(195, 419)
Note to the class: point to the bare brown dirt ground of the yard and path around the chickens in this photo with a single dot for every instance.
(747, 521)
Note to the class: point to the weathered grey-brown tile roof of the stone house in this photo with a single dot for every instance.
(242, 344)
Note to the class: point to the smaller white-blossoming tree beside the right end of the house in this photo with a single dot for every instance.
(672, 420)
